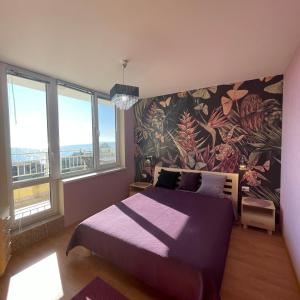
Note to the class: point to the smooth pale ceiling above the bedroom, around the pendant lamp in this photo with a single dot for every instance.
(172, 45)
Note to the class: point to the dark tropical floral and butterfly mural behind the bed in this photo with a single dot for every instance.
(215, 129)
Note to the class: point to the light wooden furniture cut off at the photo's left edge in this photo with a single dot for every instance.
(5, 244)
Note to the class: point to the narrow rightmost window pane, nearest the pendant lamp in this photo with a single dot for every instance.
(107, 132)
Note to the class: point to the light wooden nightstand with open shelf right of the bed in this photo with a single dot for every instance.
(258, 213)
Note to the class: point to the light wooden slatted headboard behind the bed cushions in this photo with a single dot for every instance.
(231, 186)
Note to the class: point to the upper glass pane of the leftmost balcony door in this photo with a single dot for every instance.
(28, 128)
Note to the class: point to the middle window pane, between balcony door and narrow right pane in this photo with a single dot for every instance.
(75, 130)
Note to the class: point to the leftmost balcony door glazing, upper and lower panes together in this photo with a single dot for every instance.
(30, 169)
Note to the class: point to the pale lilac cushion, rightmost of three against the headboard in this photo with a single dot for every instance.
(212, 185)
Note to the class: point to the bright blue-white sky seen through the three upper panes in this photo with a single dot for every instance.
(28, 123)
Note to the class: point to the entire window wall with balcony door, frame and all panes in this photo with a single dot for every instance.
(54, 130)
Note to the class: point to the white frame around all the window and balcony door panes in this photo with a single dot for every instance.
(55, 175)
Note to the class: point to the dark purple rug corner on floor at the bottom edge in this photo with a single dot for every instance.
(98, 290)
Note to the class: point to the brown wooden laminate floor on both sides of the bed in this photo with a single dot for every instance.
(258, 268)
